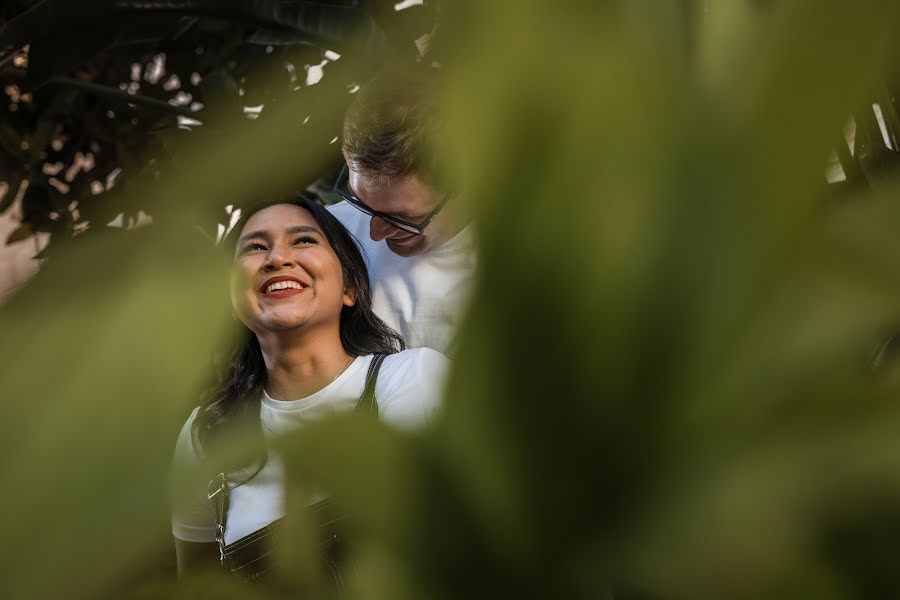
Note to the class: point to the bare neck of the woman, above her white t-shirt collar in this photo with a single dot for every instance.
(297, 368)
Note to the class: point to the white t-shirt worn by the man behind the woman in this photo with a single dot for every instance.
(421, 297)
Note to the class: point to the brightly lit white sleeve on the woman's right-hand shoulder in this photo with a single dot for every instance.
(410, 387)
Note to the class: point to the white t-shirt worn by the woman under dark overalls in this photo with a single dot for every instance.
(408, 390)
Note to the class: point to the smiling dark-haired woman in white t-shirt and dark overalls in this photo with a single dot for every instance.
(310, 347)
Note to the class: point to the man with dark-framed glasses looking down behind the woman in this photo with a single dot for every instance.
(409, 222)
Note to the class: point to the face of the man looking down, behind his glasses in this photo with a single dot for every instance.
(408, 198)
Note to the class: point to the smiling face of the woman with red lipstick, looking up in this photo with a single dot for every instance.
(285, 273)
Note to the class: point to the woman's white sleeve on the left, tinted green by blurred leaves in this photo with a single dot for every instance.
(193, 519)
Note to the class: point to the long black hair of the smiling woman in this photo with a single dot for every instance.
(235, 397)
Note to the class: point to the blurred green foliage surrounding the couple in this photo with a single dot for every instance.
(676, 378)
